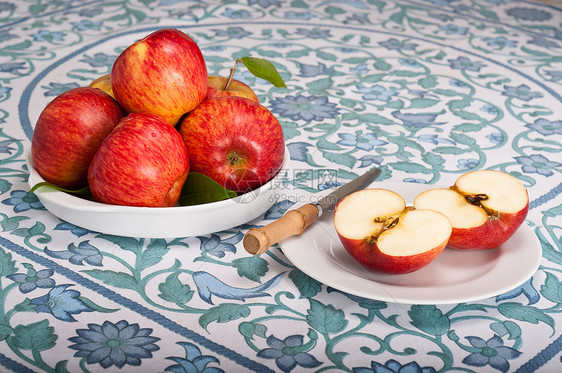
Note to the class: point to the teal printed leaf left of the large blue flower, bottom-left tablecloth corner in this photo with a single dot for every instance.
(37, 336)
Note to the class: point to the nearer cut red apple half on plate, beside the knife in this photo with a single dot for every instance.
(380, 232)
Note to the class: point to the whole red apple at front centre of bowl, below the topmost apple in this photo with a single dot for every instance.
(143, 162)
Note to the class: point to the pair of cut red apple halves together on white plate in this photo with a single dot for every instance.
(481, 211)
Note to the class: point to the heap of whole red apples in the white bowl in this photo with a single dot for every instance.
(134, 135)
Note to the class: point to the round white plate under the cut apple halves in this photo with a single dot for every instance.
(455, 276)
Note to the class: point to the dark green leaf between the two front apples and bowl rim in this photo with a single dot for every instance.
(199, 189)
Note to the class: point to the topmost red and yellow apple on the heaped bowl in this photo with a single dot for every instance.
(163, 73)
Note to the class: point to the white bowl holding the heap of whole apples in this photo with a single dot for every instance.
(157, 222)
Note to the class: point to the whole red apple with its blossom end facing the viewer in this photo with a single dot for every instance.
(234, 141)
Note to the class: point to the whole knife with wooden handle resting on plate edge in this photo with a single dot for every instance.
(294, 222)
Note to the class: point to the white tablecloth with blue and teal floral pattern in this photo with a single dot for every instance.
(423, 89)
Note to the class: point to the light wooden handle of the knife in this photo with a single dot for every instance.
(293, 223)
